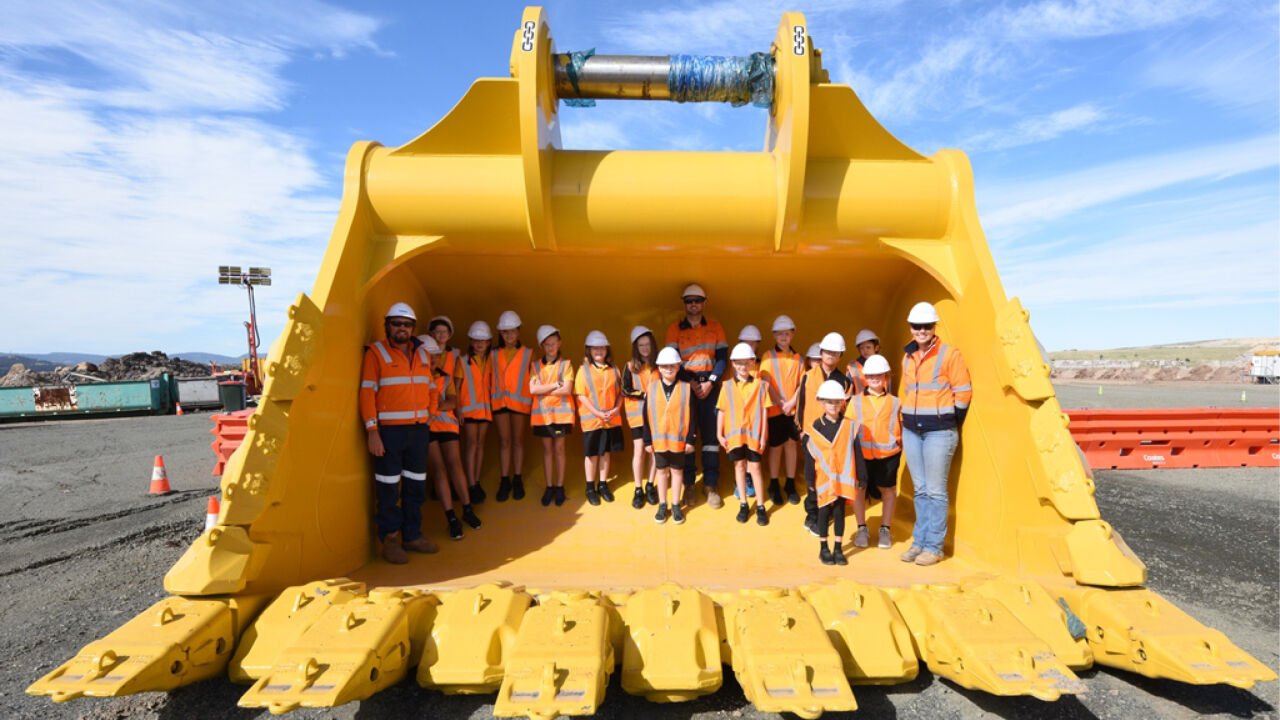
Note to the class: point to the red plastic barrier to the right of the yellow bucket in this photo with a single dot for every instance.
(1194, 438)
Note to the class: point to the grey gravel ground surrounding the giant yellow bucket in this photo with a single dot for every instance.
(84, 549)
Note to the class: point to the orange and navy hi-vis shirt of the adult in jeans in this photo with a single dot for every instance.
(935, 385)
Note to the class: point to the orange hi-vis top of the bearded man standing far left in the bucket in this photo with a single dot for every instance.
(395, 389)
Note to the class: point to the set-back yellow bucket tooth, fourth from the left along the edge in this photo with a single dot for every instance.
(474, 635)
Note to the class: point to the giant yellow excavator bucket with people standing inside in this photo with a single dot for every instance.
(835, 224)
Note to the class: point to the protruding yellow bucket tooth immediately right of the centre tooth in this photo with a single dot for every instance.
(784, 659)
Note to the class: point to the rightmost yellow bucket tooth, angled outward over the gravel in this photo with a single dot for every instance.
(1141, 632)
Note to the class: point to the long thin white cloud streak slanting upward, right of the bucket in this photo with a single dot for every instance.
(1016, 204)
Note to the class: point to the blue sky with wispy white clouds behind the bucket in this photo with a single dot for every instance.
(1127, 156)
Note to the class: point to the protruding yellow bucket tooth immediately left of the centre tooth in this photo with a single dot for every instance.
(561, 662)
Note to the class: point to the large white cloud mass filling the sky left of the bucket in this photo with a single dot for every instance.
(134, 172)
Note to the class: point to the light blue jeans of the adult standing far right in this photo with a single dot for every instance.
(929, 458)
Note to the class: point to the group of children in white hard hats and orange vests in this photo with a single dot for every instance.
(845, 421)
